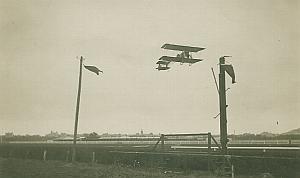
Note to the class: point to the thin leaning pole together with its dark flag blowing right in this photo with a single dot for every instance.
(92, 69)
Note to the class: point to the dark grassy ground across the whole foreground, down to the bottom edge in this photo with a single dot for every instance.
(284, 164)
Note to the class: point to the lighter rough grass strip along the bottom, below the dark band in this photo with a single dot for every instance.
(20, 168)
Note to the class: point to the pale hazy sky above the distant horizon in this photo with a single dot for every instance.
(41, 41)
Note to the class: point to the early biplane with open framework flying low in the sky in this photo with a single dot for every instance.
(184, 57)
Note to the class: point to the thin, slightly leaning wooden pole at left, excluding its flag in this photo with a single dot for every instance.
(77, 111)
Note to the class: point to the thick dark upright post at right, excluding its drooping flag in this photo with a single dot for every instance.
(222, 102)
